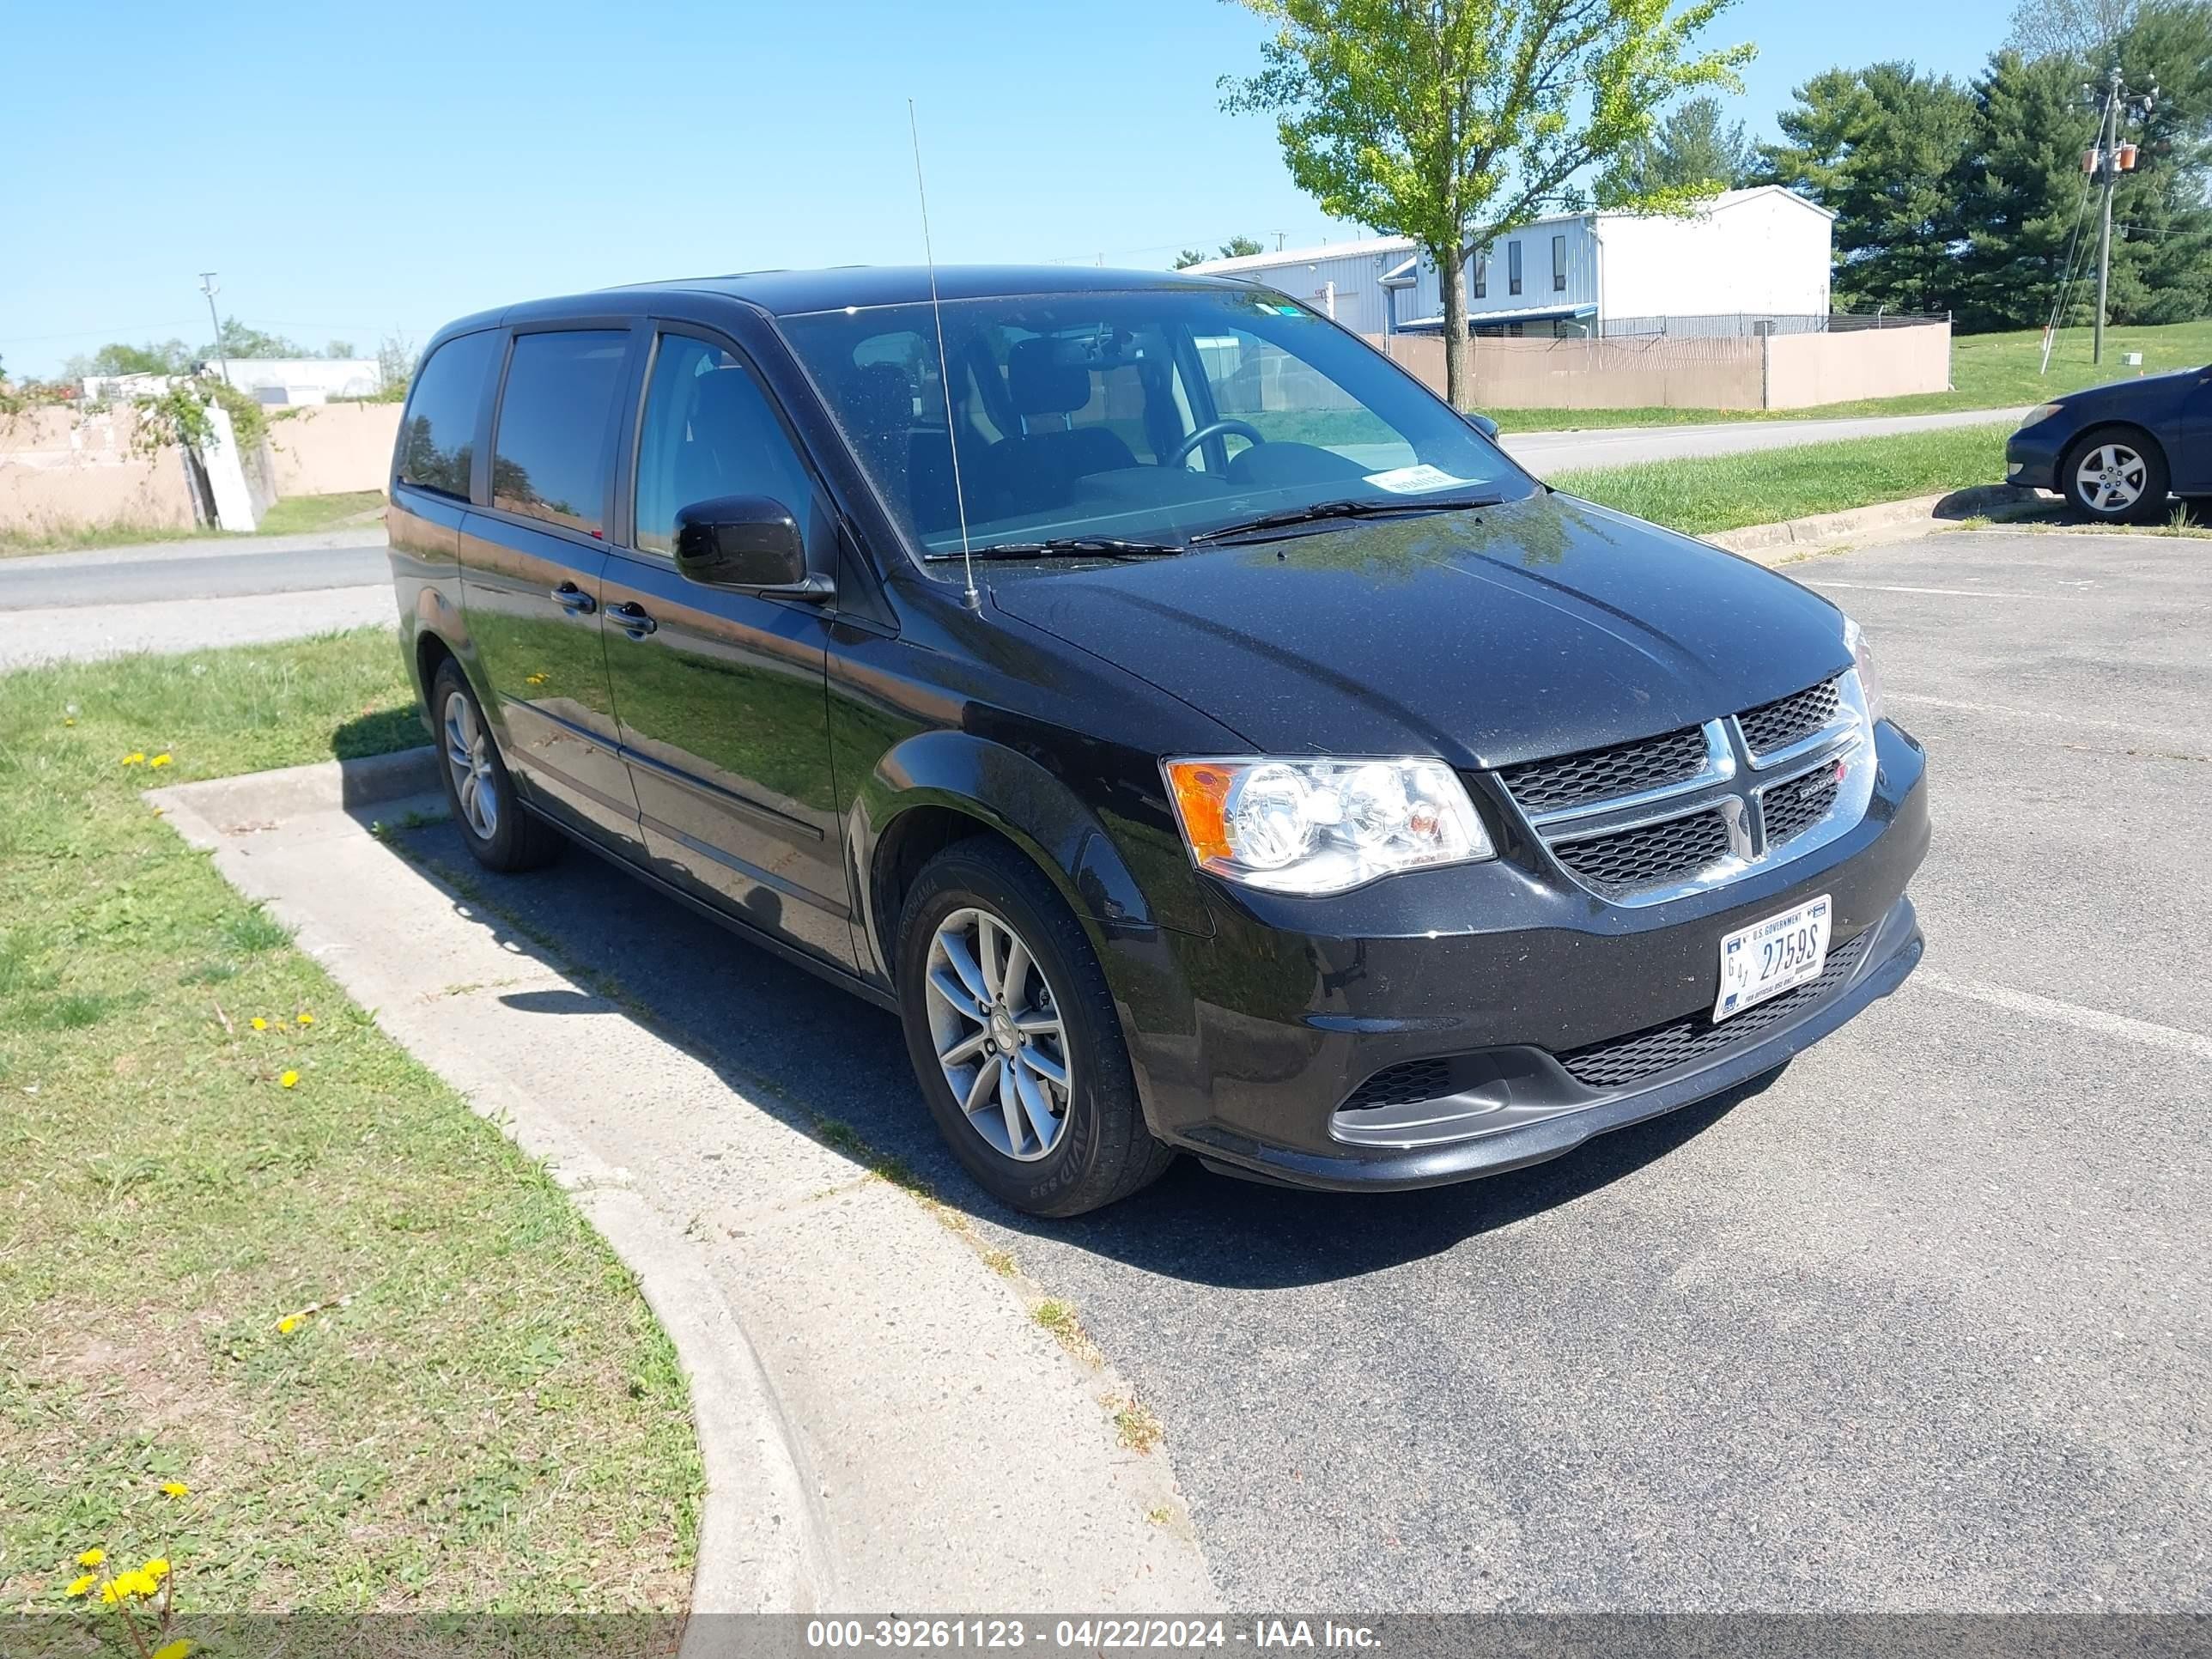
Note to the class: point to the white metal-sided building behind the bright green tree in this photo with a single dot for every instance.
(1749, 260)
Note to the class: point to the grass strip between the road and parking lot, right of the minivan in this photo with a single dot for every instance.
(1726, 492)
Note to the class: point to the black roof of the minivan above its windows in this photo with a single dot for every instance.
(786, 293)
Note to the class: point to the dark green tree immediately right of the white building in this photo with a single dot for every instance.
(1888, 152)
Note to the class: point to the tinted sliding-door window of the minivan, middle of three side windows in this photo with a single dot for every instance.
(554, 446)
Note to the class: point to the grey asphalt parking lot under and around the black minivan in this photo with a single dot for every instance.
(1926, 1322)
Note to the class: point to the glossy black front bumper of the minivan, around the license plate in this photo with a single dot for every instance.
(1249, 1045)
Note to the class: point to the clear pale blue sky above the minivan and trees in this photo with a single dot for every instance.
(362, 171)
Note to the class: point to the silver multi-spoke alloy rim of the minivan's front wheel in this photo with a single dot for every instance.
(999, 1034)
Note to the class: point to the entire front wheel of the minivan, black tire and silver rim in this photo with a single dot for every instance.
(1014, 1036)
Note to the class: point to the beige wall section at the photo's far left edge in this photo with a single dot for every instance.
(63, 472)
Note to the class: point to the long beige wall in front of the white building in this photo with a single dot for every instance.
(1766, 373)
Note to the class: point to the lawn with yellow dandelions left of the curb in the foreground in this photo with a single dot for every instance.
(492, 1421)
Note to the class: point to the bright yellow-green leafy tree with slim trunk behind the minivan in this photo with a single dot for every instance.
(1461, 121)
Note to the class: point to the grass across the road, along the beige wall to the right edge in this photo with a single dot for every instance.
(1987, 373)
